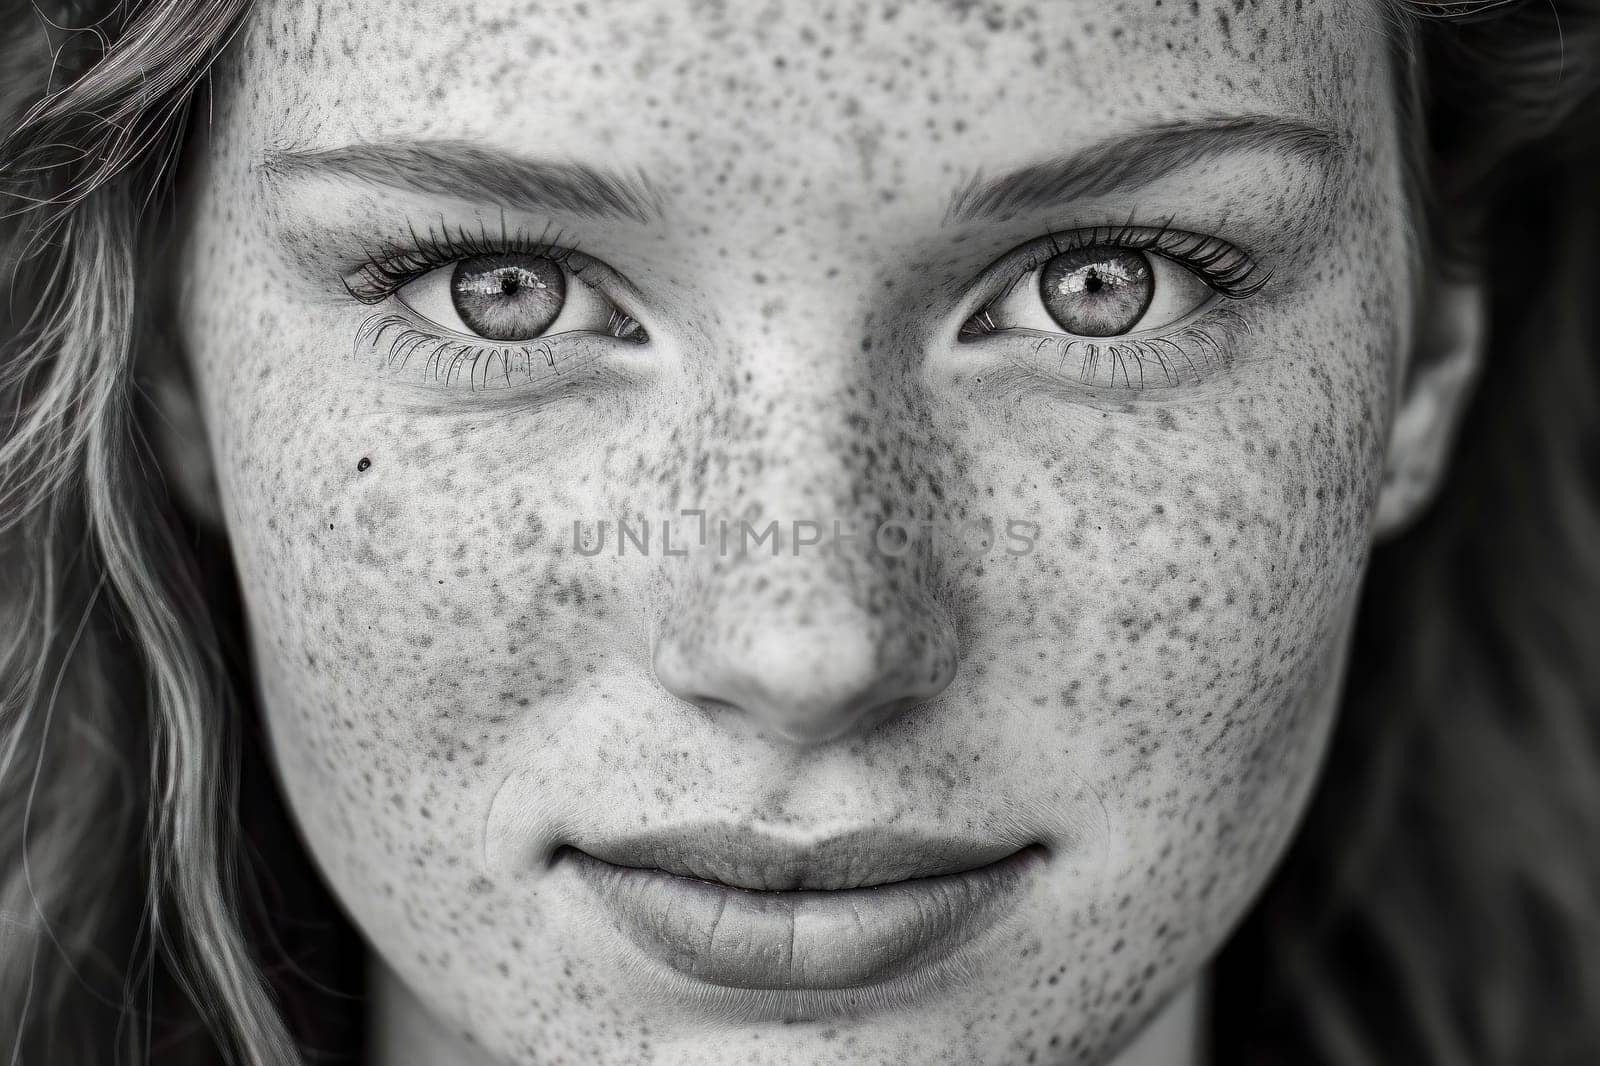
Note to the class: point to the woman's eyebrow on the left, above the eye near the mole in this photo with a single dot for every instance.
(465, 170)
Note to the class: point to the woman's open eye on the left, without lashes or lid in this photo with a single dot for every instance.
(513, 297)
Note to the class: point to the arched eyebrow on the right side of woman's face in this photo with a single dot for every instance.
(1134, 161)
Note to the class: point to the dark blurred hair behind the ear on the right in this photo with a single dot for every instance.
(1442, 900)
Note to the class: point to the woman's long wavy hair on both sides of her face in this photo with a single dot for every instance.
(1442, 904)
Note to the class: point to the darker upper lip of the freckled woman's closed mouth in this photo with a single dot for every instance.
(767, 862)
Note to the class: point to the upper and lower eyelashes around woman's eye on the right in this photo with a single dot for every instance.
(1193, 347)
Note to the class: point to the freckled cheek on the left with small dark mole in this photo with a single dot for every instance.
(407, 590)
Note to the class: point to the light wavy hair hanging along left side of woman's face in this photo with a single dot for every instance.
(98, 588)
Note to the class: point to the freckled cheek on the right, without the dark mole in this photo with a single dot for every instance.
(1182, 627)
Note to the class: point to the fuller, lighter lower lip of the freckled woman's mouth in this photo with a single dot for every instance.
(802, 940)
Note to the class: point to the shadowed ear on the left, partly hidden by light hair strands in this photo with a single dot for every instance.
(177, 430)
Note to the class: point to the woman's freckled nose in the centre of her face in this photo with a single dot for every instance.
(818, 425)
